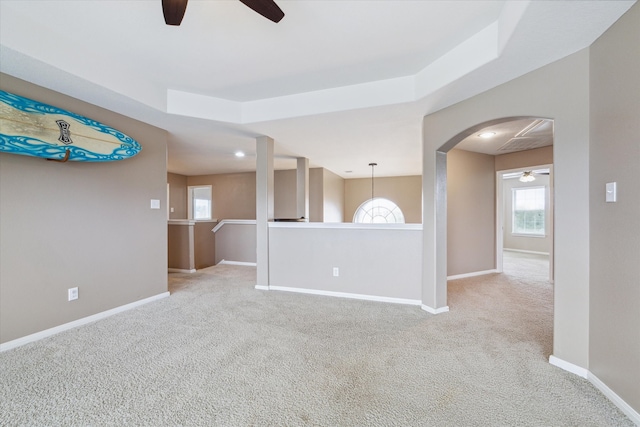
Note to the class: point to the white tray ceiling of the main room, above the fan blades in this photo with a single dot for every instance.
(343, 83)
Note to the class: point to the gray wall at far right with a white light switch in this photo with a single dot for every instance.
(614, 340)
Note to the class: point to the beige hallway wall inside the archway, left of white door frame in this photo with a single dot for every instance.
(471, 214)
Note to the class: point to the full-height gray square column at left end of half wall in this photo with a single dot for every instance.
(264, 207)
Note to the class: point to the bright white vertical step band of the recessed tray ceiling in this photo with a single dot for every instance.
(473, 53)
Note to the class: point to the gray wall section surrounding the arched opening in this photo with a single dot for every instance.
(559, 91)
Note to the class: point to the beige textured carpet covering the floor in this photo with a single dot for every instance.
(220, 353)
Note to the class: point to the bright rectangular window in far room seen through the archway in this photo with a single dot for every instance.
(528, 211)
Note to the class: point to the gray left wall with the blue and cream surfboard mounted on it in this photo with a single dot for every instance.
(79, 224)
